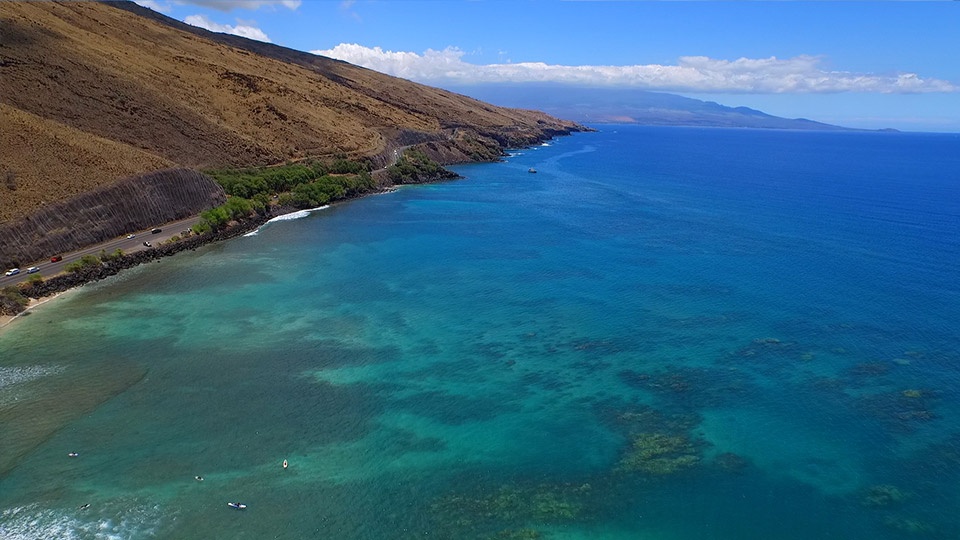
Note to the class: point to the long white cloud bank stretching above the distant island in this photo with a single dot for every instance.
(801, 74)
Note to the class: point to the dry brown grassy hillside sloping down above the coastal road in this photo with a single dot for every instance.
(92, 92)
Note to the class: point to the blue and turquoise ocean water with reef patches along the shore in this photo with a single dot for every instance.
(665, 334)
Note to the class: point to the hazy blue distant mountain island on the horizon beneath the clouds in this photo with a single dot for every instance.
(625, 106)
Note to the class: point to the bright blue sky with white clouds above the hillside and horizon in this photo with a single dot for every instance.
(864, 64)
